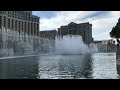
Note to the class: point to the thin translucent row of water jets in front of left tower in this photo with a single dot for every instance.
(13, 43)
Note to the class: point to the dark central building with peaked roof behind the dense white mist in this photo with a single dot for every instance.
(83, 29)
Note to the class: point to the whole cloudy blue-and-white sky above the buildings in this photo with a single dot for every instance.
(102, 21)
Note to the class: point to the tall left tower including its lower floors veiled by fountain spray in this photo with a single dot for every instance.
(19, 33)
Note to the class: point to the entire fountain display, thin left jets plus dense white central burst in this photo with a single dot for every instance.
(13, 43)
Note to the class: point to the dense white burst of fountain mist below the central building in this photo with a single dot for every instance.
(73, 45)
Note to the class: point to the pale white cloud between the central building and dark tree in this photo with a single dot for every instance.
(102, 26)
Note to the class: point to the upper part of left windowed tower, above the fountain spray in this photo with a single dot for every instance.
(21, 21)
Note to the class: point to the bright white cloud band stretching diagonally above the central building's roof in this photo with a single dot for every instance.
(63, 18)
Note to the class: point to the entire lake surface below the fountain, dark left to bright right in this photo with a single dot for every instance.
(89, 66)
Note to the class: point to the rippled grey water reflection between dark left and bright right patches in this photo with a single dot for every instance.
(65, 66)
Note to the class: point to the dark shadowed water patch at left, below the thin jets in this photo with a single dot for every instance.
(19, 68)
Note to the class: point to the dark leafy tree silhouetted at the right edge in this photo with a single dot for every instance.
(115, 33)
